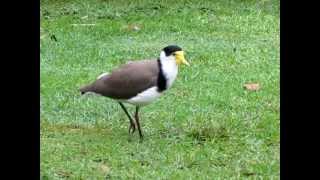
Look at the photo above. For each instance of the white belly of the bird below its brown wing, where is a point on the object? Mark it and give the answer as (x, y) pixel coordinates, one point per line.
(144, 98)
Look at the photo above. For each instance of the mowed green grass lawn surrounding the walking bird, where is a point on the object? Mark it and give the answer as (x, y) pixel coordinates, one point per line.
(207, 126)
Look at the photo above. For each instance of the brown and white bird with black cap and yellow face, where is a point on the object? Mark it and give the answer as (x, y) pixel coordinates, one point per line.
(139, 82)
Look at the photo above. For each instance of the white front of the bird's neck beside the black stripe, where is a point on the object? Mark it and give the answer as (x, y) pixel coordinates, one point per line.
(169, 68)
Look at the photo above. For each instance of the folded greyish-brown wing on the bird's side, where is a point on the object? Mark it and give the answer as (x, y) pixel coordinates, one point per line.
(128, 80)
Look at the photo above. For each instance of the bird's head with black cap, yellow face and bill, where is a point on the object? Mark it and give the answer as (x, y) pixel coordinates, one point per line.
(173, 53)
